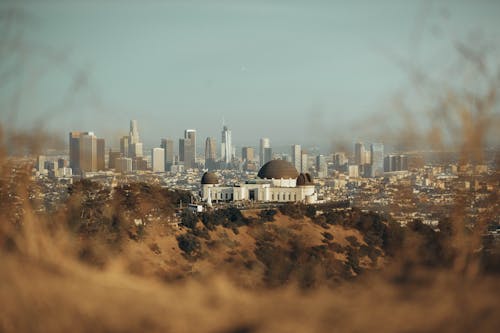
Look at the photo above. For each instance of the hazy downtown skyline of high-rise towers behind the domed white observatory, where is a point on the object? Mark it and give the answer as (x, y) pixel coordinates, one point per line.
(87, 155)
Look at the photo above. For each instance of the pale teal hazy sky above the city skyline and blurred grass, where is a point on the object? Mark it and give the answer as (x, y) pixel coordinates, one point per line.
(306, 72)
